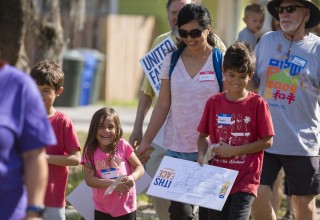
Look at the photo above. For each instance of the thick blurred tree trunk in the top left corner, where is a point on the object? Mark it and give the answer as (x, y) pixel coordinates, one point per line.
(31, 31)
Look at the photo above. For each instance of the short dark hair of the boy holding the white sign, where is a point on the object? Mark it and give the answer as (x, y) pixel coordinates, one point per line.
(240, 57)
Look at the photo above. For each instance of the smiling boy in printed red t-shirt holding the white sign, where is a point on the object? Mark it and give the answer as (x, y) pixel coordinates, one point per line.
(240, 127)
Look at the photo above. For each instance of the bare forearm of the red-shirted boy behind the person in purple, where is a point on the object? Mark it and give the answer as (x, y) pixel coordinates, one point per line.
(72, 159)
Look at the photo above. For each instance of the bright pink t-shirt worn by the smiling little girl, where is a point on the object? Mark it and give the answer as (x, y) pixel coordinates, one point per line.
(113, 204)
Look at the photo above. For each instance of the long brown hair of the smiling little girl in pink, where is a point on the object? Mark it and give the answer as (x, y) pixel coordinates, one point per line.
(91, 143)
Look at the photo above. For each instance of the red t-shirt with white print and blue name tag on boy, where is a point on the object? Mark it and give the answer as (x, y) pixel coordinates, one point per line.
(238, 123)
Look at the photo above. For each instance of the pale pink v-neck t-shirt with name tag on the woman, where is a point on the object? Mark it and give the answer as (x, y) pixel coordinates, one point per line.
(188, 98)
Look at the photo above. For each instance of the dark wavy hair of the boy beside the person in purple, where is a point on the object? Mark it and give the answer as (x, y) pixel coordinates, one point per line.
(48, 72)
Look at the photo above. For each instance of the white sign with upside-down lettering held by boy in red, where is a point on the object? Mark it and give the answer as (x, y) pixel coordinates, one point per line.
(188, 182)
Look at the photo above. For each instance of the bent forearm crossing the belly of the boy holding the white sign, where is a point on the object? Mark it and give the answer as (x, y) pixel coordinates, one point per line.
(226, 150)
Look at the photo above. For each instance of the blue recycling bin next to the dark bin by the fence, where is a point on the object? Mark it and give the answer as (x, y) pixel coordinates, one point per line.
(91, 75)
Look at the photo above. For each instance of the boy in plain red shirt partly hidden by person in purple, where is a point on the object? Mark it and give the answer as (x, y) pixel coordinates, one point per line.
(49, 78)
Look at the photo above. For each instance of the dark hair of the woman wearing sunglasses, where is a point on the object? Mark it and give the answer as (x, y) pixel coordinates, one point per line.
(199, 13)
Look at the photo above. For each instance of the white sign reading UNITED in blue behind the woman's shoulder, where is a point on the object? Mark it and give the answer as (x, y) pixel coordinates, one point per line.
(151, 62)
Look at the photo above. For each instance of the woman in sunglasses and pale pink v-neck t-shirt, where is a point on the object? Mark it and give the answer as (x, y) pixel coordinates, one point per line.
(184, 93)
